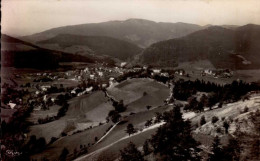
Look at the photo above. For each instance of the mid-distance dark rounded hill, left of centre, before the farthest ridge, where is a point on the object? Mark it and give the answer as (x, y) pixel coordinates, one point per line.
(97, 45)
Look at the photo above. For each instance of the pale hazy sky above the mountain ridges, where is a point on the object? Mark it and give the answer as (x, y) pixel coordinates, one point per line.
(24, 17)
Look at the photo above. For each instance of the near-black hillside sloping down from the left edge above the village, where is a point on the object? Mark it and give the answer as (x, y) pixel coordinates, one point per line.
(21, 54)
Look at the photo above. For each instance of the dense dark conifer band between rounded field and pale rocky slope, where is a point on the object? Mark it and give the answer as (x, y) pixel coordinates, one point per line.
(183, 90)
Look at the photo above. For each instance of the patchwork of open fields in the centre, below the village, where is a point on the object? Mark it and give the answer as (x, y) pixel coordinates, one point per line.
(90, 110)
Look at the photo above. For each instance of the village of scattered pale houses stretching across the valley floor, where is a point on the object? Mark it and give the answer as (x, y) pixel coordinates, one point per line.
(46, 86)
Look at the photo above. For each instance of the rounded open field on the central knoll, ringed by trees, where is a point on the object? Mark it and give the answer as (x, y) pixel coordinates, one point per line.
(139, 93)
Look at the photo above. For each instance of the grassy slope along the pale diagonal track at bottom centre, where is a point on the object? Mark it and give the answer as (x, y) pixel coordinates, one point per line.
(118, 133)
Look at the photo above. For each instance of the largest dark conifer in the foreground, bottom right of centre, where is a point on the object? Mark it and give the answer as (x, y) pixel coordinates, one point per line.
(173, 141)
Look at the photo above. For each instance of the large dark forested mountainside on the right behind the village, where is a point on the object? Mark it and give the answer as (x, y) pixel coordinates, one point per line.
(225, 48)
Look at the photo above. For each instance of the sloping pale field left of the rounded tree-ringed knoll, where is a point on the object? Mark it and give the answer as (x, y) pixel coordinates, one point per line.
(83, 112)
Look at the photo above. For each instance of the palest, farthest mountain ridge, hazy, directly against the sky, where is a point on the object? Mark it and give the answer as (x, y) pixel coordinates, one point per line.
(138, 31)
